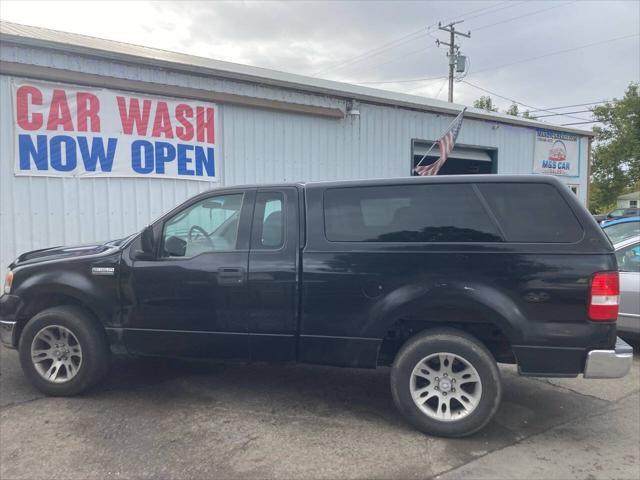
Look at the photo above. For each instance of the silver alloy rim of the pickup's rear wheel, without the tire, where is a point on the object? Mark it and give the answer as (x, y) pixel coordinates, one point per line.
(445, 386)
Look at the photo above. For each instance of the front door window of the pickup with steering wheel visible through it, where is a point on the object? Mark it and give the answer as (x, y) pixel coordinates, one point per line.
(210, 225)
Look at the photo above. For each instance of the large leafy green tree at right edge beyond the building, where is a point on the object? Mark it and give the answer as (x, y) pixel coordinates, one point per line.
(615, 167)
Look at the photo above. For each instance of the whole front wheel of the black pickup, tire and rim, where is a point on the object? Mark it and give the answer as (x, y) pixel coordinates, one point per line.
(63, 352)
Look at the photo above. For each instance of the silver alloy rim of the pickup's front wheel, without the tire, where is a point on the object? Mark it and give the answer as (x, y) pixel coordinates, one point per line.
(56, 354)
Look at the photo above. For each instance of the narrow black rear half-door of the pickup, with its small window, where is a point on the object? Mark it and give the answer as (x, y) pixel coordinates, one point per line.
(272, 294)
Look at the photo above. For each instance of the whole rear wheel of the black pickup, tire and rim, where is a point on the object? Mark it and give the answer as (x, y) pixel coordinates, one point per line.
(446, 383)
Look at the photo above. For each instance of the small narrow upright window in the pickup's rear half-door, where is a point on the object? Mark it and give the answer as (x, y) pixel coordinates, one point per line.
(268, 221)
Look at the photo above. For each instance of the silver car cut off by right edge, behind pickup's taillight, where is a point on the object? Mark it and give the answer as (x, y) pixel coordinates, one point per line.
(628, 256)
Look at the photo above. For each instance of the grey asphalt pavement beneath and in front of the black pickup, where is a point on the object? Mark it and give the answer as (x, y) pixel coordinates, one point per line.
(172, 419)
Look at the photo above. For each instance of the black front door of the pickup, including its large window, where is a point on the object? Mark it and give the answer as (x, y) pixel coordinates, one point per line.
(190, 299)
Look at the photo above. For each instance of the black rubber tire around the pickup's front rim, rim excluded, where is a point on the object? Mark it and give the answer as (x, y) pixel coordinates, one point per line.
(93, 342)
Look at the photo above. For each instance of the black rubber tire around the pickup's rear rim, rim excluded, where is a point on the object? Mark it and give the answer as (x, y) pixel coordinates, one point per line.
(463, 345)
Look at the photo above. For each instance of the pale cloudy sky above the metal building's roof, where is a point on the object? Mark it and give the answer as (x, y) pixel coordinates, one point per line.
(544, 54)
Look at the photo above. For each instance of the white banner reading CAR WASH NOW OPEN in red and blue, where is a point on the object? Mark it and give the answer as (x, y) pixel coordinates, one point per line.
(69, 131)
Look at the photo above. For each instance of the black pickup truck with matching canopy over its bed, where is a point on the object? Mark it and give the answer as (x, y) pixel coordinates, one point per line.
(440, 278)
